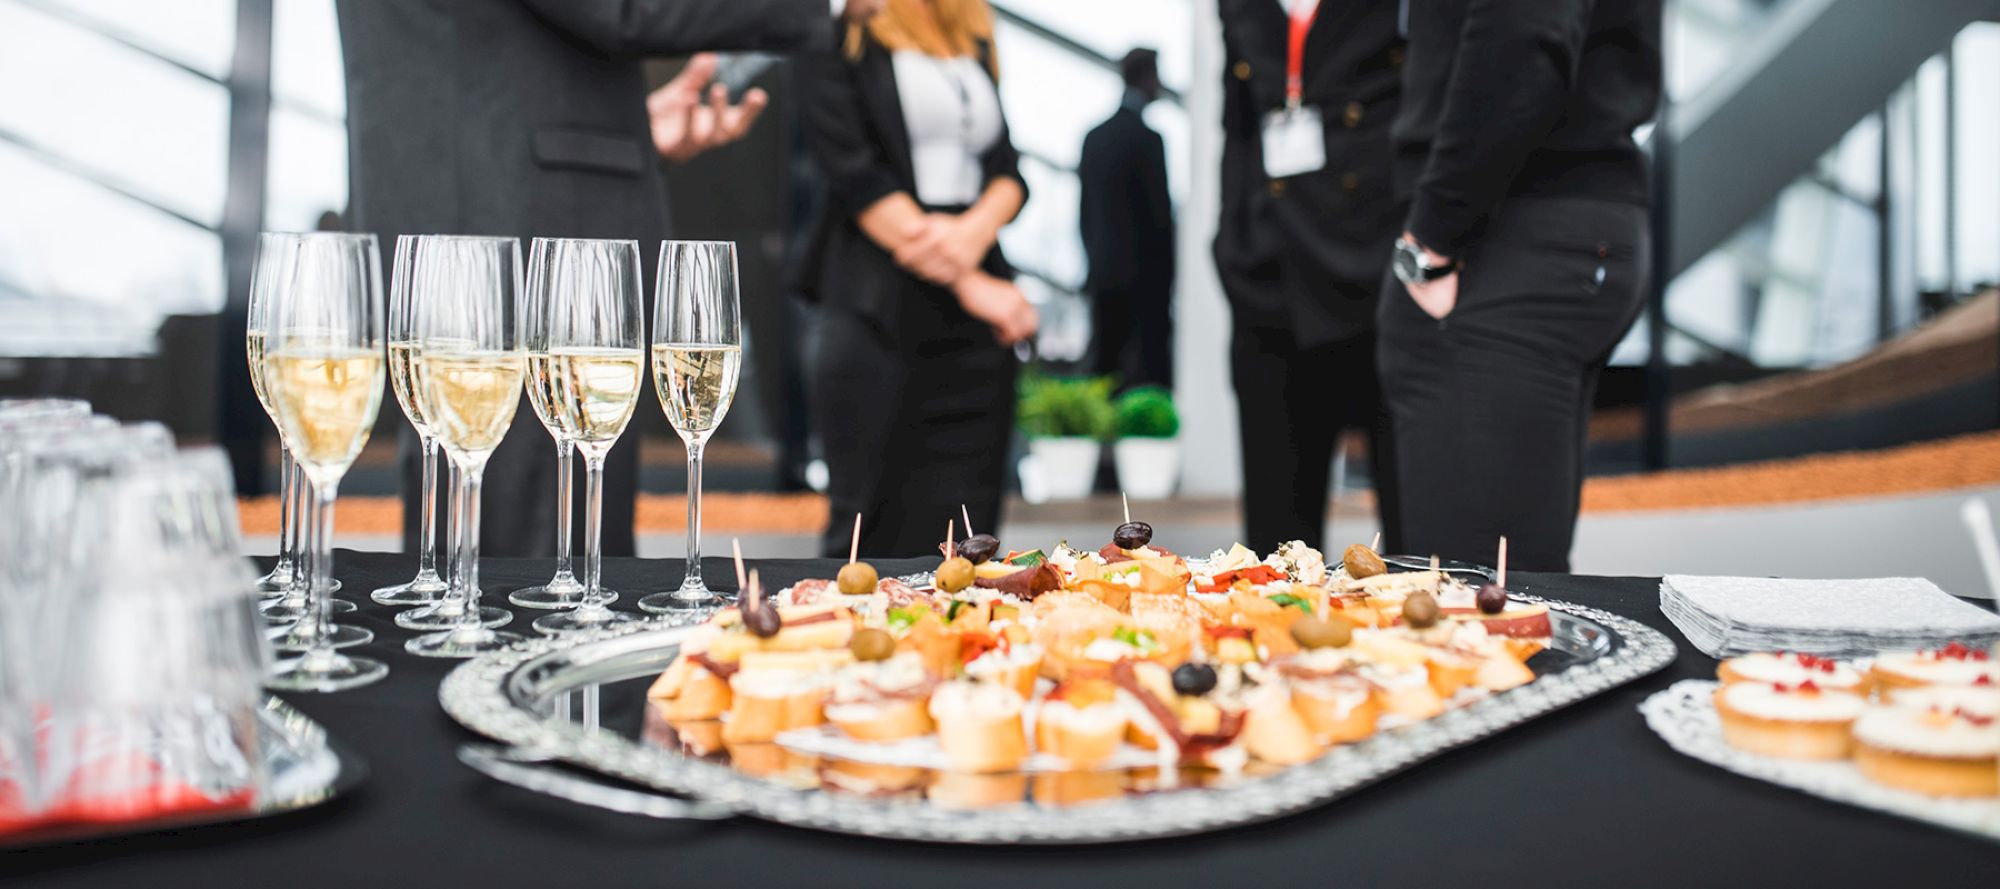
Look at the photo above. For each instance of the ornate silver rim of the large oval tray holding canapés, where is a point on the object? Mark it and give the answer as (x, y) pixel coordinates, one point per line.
(511, 698)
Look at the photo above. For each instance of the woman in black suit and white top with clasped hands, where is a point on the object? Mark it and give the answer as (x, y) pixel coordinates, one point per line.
(913, 379)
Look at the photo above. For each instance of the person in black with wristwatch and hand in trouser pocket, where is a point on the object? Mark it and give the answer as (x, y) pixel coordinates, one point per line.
(1523, 261)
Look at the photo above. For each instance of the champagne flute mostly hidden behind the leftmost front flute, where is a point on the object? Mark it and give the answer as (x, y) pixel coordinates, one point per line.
(285, 586)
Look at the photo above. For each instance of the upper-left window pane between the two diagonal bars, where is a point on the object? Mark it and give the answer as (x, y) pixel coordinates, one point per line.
(137, 121)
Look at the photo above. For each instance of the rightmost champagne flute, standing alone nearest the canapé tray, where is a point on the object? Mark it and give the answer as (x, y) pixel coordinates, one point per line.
(697, 353)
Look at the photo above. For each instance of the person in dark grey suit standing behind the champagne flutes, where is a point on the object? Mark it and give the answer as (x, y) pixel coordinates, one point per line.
(531, 119)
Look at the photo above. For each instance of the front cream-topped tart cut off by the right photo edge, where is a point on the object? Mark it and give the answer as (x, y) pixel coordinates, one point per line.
(1941, 742)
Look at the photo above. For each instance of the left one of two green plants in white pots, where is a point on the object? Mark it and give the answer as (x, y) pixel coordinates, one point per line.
(1065, 421)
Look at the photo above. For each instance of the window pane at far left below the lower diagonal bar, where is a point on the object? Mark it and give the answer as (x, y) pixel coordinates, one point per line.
(87, 271)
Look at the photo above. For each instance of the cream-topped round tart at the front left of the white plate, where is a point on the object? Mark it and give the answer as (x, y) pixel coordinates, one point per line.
(1791, 722)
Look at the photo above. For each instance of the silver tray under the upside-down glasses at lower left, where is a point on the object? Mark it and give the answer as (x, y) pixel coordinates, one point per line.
(303, 768)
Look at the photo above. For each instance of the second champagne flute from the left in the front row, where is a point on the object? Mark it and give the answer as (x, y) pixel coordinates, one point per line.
(469, 385)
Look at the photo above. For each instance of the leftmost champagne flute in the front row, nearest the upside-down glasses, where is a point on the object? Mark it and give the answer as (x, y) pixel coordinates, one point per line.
(323, 371)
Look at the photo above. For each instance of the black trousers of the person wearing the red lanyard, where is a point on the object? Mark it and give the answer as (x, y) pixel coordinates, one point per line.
(1293, 407)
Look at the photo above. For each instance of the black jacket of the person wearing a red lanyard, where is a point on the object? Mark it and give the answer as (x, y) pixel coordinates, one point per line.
(1307, 253)
